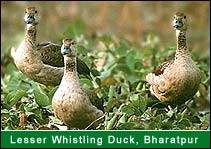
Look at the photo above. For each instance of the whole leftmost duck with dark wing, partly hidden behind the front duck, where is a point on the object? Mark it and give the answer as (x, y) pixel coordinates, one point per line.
(41, 62)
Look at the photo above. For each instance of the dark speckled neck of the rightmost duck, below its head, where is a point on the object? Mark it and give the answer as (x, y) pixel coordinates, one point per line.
(181, 43)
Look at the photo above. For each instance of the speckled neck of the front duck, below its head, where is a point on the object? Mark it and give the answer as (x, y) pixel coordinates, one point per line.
(70, 67)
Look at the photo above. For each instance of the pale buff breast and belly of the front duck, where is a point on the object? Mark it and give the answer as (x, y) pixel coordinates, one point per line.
(73, 106)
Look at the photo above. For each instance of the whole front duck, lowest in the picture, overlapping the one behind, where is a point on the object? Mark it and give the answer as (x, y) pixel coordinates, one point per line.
(75, 106)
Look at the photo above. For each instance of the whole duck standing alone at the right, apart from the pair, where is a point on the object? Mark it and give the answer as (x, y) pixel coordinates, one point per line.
(177, 80)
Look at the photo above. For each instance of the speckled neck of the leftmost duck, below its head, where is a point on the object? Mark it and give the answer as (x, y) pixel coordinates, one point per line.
(30, 36)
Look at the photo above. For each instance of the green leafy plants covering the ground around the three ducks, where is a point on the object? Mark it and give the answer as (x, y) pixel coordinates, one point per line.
(118, 70)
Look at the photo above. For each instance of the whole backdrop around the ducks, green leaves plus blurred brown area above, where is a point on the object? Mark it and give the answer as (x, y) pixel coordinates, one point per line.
(121, 42)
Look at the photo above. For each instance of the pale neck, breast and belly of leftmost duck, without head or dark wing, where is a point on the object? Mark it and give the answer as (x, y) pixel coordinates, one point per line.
(28, 61)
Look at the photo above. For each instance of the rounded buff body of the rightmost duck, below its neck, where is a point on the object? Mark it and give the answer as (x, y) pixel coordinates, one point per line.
(178, 83)
